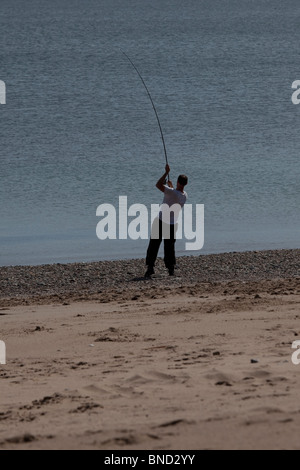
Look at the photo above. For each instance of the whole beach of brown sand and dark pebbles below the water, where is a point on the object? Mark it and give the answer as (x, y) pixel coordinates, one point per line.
(98, 358)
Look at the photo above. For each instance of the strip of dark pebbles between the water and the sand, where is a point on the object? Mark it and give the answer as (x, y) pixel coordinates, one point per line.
(105, 280)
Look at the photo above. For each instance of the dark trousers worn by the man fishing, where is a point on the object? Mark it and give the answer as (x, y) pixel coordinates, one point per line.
(169, 244)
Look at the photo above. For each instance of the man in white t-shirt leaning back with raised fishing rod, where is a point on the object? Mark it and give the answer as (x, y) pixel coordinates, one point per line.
(163, 228)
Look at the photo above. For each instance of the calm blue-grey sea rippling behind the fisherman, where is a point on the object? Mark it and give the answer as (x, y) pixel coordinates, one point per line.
(78, 129)
